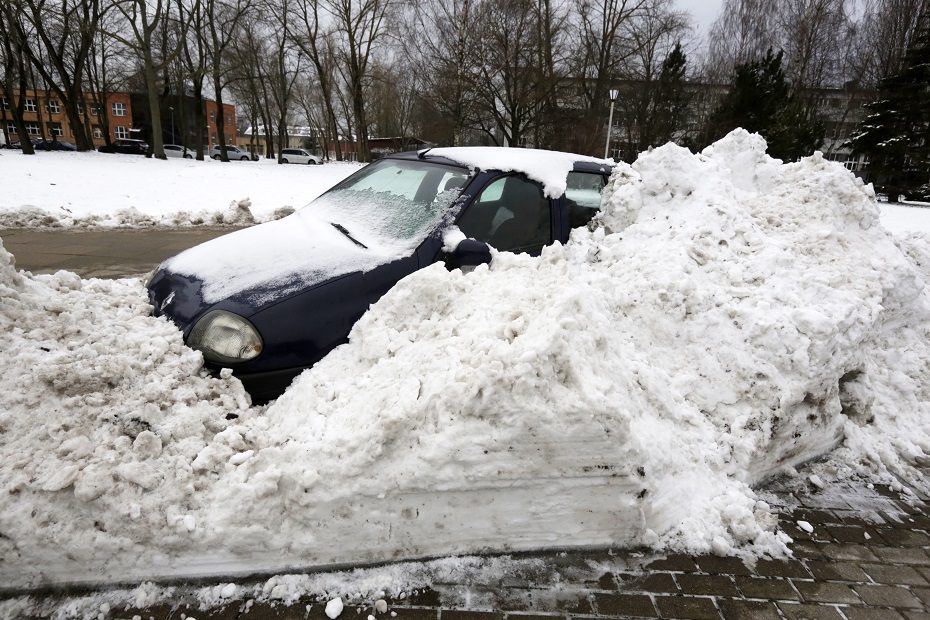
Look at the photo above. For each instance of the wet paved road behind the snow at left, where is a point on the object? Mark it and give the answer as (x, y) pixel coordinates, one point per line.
(100, 253)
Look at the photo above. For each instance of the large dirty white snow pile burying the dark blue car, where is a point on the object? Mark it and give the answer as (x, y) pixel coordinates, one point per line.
(728, 316)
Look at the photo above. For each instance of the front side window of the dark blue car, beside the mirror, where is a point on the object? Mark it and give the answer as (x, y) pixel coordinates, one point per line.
(511, 214)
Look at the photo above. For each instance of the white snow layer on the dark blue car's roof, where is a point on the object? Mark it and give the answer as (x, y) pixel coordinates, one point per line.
(550, 168)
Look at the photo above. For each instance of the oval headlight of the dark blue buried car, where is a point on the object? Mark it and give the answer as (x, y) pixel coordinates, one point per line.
(225, 337)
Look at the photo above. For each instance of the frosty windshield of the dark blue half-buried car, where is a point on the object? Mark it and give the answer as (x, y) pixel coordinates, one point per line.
(392, 200)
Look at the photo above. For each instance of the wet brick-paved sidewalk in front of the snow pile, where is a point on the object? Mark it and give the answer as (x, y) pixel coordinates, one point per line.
(868, 556)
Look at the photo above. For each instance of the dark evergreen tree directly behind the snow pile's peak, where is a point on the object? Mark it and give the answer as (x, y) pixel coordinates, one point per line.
(760, 100)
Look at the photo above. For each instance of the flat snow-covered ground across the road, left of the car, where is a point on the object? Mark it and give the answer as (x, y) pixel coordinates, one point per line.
(100, 189)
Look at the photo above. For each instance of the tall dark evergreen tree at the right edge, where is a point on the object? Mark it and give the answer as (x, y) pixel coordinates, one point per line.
(895, 136)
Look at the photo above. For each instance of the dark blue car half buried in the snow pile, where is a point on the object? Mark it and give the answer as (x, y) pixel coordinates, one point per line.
(271, 300)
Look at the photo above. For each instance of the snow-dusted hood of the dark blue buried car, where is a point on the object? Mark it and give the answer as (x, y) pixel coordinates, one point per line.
(263, 263)
